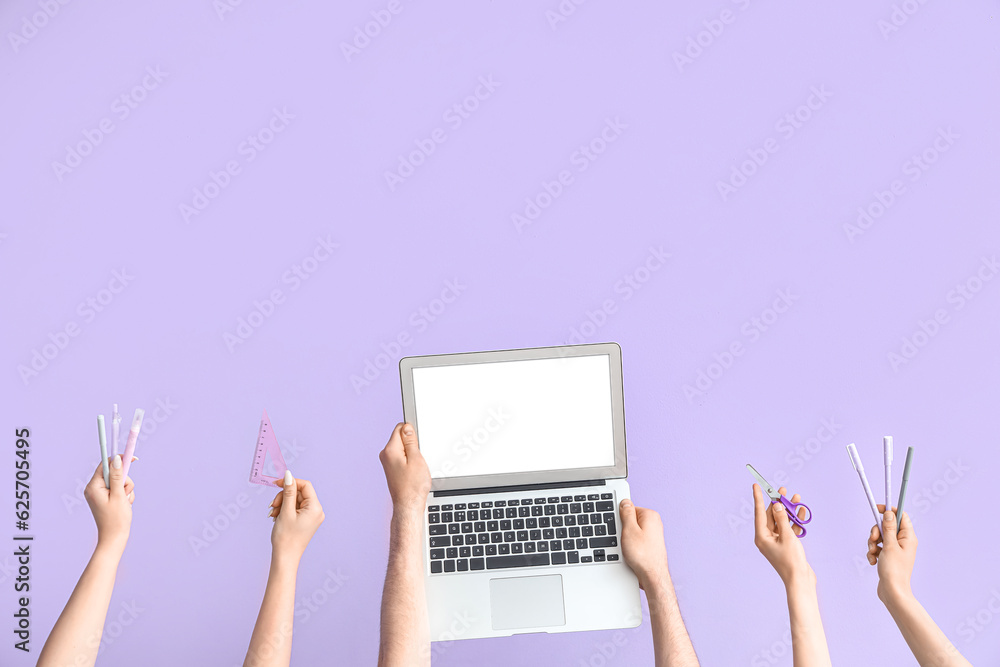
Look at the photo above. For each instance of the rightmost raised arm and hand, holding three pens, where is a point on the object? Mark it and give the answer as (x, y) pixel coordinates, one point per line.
(895, 560)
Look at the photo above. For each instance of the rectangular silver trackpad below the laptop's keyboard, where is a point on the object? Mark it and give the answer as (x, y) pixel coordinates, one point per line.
(527, 602)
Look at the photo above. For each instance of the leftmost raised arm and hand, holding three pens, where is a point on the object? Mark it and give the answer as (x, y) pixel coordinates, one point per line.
(77, 634)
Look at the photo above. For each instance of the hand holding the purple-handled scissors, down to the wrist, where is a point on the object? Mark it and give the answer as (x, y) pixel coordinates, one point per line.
(777, 538)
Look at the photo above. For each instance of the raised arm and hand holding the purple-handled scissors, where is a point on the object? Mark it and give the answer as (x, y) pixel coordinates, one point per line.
(777, 540)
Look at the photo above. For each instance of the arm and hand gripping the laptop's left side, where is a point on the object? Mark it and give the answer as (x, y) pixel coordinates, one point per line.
(405, 633)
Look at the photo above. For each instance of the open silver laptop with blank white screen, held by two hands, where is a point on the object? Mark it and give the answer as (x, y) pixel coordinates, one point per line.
(527, 454)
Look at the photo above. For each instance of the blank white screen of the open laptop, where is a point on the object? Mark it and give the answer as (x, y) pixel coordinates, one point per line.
(515, 416)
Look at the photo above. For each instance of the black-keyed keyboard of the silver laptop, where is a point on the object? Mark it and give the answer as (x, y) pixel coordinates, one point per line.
(522, 532)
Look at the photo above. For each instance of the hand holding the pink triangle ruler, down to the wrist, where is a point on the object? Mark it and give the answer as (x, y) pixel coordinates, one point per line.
(297, 514)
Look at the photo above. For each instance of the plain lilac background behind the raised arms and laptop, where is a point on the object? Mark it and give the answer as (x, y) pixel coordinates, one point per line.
(827, 358)
